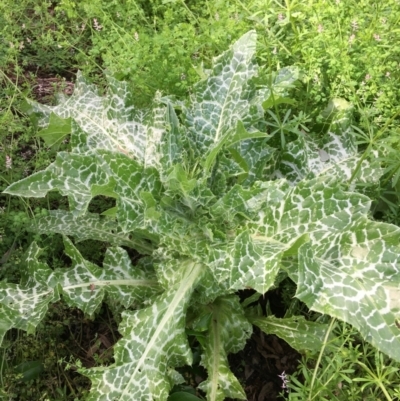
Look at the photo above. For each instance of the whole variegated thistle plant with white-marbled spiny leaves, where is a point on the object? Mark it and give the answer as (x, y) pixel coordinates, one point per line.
(213, 209)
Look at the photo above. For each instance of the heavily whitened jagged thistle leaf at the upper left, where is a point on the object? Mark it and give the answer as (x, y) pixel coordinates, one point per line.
(110, 122)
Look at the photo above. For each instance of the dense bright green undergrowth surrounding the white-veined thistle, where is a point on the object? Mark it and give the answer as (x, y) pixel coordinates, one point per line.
(341, 50)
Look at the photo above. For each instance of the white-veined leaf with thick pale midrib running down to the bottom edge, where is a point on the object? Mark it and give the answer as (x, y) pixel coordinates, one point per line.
(153, 342)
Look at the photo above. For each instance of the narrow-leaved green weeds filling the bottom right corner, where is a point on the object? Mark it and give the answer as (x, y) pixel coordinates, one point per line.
(351, 370)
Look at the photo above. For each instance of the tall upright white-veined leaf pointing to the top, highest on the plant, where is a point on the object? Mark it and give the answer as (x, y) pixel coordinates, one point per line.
(223, 100)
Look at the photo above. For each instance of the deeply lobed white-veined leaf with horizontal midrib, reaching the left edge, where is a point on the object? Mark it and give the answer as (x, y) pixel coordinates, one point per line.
(84, 286)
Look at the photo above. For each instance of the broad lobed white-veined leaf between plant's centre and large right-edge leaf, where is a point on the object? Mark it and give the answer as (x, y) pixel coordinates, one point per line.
(279, 220)
